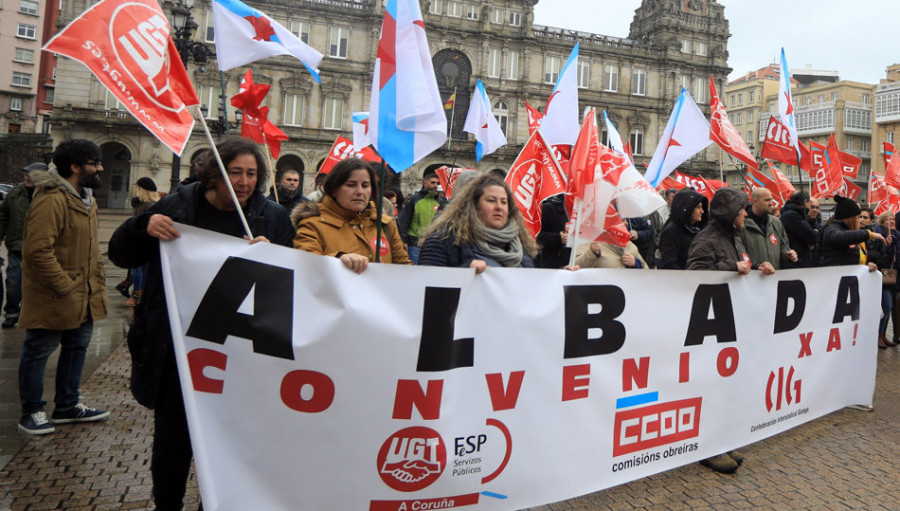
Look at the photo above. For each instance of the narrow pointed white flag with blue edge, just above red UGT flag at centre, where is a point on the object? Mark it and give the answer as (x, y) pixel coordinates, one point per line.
(560, 124)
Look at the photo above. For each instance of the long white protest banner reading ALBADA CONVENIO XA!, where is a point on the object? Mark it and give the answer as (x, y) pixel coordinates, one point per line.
(310, 387)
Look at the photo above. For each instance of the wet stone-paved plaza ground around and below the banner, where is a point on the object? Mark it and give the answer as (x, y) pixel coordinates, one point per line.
(845, 460)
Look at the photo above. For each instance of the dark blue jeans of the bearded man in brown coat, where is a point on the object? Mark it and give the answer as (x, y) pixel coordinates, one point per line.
(39, 344)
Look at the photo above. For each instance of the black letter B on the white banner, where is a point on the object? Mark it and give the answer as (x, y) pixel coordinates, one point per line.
(579, 322)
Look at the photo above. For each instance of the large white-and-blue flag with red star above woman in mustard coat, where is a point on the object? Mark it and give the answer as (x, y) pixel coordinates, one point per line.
(406, 116)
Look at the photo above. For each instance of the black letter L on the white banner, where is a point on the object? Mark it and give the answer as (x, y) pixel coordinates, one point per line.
(437, 349)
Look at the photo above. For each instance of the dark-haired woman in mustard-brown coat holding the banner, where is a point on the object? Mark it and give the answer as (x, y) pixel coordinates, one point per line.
(343, 224)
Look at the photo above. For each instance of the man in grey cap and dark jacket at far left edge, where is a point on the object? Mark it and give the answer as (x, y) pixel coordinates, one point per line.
(12, 225)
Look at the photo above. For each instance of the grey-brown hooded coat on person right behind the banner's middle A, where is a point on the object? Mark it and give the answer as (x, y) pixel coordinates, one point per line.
(718, 246)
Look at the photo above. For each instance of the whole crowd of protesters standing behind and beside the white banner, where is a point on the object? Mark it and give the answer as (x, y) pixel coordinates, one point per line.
(49, 224)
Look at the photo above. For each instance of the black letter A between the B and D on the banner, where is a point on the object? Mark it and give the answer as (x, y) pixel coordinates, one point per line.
(720, 325)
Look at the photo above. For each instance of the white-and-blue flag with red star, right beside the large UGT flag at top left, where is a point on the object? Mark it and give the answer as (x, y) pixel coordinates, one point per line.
(246, 35)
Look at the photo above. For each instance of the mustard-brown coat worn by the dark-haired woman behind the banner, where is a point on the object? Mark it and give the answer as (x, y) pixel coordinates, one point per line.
(325, 228)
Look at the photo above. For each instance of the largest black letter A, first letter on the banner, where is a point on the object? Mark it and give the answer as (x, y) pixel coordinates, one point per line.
(271, 325)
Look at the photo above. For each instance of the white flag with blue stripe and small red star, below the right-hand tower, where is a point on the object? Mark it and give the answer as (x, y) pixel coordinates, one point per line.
(687, 133)
